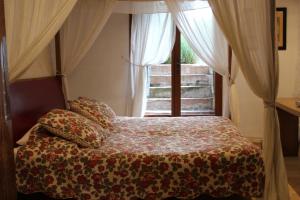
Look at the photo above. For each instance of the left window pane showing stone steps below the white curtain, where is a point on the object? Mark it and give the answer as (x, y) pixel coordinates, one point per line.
(159, 94)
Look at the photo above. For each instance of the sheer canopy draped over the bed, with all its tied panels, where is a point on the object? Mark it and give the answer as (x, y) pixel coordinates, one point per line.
(248, 26)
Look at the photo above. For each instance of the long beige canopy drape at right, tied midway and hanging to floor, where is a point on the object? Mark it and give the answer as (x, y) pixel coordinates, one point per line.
(249, 28)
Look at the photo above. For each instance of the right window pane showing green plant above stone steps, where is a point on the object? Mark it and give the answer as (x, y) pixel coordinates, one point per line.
(197, 83)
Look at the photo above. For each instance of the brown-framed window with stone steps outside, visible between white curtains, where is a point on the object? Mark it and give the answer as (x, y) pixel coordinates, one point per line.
(183, 85)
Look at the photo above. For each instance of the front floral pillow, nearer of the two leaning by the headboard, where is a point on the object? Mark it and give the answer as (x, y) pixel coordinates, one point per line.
(73, 127)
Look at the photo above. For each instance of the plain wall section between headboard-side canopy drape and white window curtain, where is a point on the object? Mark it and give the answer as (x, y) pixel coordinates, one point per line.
(103, 73)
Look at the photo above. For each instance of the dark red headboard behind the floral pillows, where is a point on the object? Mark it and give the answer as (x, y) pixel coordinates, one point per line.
(32, 98)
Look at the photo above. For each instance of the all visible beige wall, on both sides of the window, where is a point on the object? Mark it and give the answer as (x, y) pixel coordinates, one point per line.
(103, 74)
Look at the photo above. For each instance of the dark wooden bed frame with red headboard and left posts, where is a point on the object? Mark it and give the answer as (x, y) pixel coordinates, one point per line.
(22, 103)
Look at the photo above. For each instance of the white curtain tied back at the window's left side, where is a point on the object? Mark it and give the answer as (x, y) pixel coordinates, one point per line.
(152, 39)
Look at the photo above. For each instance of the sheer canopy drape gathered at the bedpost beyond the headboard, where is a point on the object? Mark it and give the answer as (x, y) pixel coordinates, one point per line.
(80, 31)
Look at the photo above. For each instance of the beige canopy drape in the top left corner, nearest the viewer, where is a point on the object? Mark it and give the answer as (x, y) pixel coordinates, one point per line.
(30, 27)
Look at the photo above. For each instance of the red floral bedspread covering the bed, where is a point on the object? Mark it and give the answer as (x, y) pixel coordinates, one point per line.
(148, 158)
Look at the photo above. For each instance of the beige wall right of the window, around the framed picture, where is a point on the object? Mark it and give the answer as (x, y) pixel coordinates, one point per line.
(251, 107)
